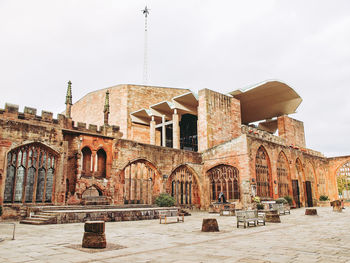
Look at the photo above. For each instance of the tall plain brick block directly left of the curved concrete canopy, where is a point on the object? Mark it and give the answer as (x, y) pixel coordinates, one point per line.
(219, 119)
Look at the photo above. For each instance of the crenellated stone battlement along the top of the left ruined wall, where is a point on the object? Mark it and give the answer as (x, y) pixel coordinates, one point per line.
(11, 112)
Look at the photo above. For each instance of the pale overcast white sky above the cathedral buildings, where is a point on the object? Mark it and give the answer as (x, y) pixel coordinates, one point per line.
(219, 45)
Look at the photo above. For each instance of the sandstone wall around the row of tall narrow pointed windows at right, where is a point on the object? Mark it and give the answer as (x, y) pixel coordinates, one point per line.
(313, 166)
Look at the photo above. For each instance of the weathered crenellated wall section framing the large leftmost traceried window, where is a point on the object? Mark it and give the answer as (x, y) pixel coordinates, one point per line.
(17, 129)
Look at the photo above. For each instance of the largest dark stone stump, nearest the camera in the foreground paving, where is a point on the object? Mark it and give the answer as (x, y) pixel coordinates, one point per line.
(94, 235)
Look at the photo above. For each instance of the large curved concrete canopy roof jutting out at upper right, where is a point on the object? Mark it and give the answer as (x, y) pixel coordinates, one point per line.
(267, 100)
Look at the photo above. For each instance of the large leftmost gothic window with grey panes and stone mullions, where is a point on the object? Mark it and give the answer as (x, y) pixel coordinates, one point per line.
(30, 174)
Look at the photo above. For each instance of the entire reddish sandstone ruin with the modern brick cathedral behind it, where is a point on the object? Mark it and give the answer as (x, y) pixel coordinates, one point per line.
(128, 143)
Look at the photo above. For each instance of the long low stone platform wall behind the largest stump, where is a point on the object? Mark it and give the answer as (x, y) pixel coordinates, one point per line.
(108, 215)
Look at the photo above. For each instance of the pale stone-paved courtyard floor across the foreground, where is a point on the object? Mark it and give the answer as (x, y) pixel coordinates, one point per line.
(299, 238)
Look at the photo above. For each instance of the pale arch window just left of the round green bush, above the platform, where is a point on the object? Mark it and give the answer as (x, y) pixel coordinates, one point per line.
(141, 183)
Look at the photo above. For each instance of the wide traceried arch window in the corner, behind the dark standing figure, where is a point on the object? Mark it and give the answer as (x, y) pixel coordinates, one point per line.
(224, 178)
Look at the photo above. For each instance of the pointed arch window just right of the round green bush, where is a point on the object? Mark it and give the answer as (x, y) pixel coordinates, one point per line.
(184, 186)
